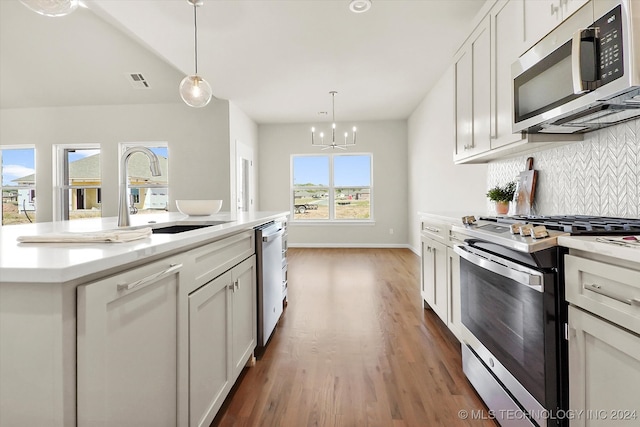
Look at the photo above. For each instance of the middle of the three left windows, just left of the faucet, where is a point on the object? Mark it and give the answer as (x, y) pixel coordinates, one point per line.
(79, 182)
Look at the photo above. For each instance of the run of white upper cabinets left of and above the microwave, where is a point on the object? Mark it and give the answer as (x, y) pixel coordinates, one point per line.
(483, 82)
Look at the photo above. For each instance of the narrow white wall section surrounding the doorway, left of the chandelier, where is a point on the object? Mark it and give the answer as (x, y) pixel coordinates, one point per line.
(244, 130)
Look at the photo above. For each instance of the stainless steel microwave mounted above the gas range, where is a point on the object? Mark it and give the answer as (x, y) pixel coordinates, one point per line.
(584, 75)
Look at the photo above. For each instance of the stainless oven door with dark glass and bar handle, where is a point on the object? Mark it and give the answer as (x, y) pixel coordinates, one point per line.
(505, 306)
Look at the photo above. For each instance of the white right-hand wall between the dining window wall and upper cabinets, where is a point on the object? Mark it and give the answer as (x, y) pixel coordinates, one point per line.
(436, 185)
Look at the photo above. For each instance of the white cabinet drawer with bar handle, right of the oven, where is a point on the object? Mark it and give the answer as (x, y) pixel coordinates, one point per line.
(609, 291)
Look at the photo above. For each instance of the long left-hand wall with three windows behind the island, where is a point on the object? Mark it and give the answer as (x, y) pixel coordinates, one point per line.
(198, 145)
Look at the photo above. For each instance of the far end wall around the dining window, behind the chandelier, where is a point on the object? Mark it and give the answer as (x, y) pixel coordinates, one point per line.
(386, 140)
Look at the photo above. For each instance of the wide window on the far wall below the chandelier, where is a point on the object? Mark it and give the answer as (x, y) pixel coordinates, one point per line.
(332, 187)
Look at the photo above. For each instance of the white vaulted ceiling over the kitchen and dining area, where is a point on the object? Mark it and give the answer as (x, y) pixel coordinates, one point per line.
(276, 60)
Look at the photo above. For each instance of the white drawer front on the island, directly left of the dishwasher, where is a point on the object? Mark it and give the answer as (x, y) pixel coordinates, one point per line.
(215, 258)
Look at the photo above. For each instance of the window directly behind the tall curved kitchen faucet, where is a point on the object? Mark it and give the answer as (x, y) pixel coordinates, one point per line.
(147, 193)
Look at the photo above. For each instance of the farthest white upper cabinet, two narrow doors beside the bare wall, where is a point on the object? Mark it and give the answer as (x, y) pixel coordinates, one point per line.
(472, 67)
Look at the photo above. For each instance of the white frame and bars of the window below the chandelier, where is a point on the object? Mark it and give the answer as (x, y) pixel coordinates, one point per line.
(331, 190)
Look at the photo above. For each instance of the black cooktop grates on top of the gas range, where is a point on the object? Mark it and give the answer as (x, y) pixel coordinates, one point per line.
(575, 224)
